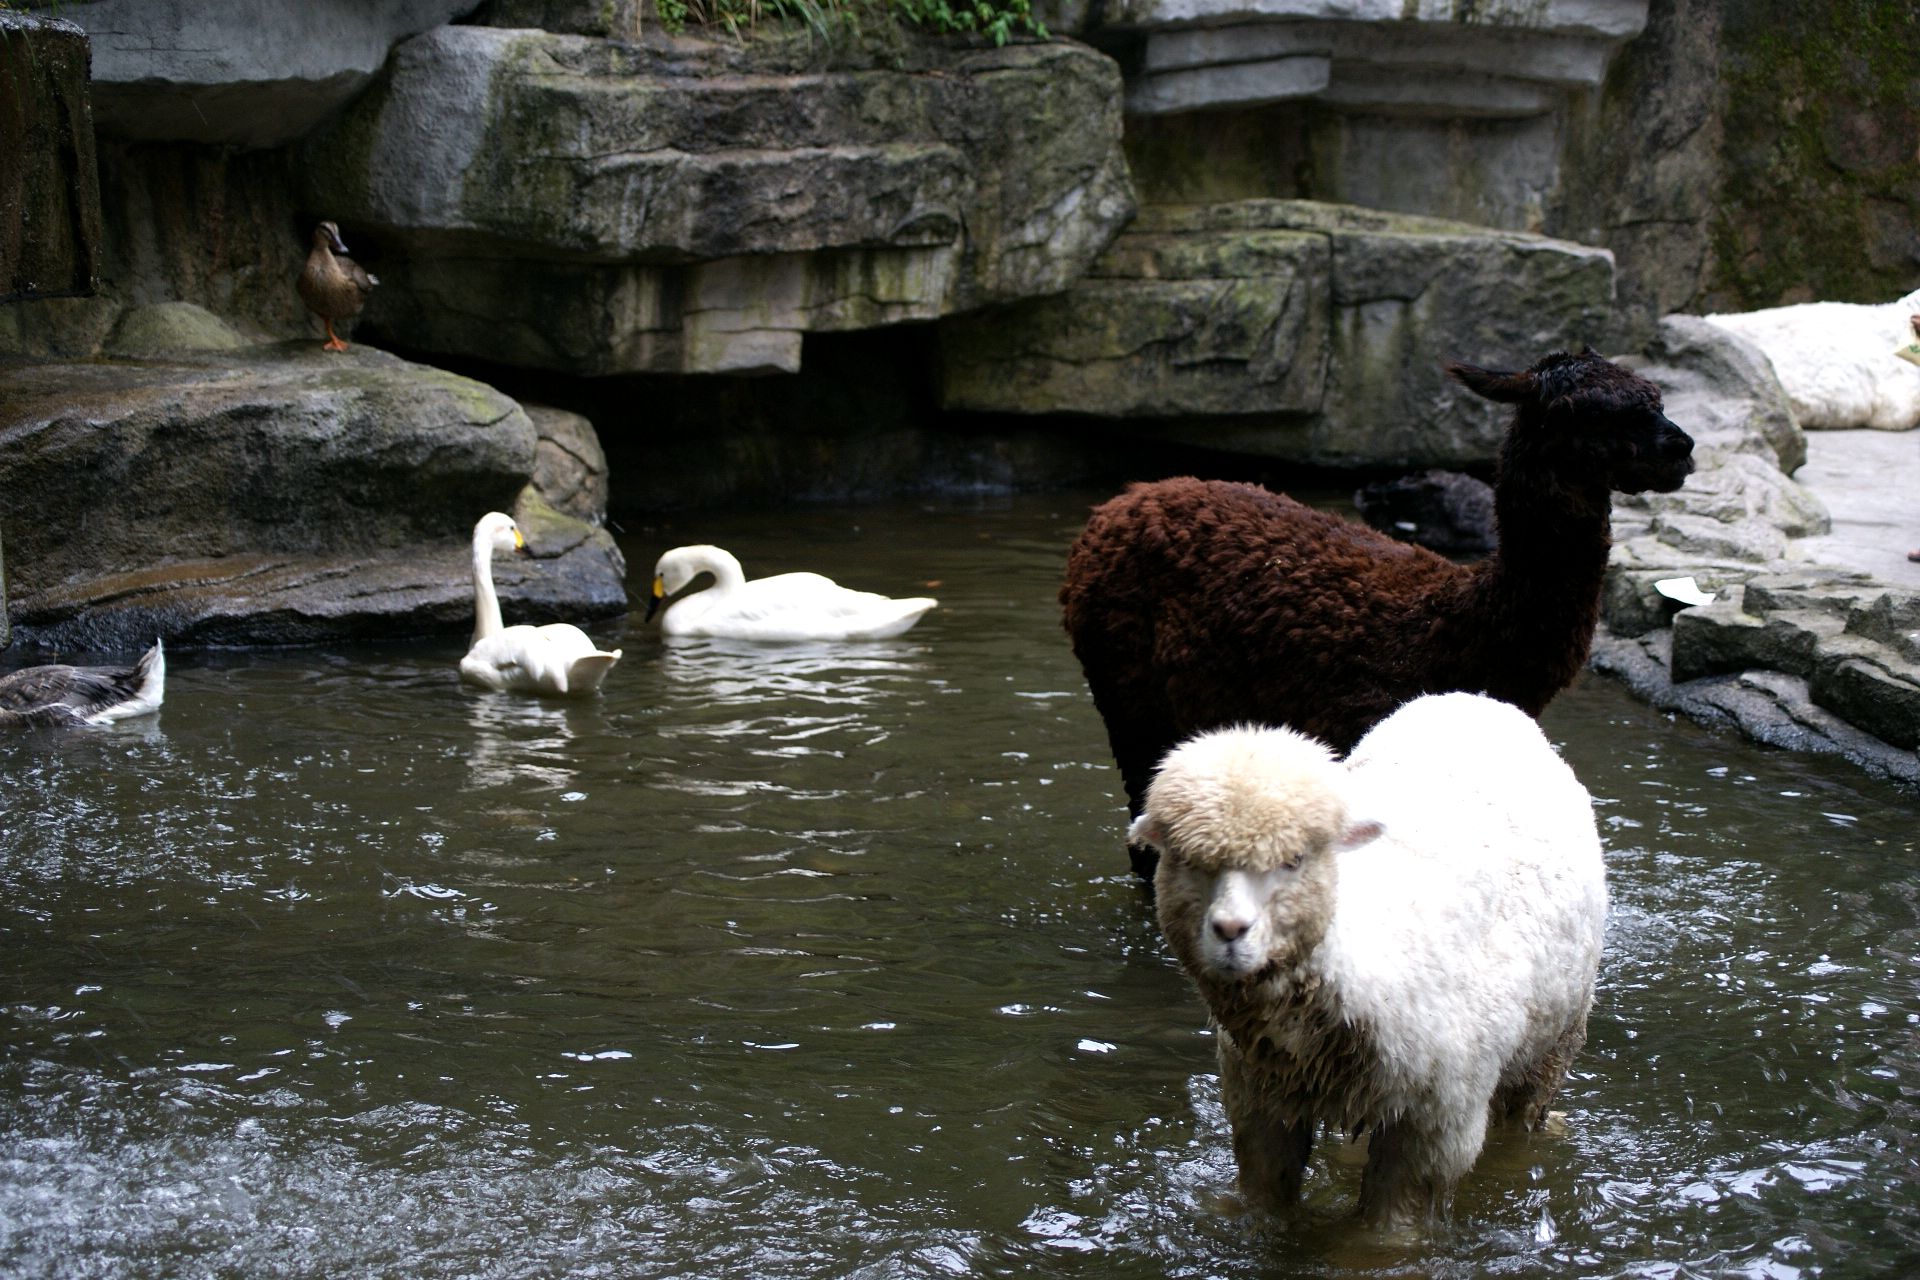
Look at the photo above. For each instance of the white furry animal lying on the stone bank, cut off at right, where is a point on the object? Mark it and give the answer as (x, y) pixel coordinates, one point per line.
(1836, 362)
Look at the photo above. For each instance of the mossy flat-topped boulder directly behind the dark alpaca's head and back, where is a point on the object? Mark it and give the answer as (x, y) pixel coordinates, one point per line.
(1287, 329)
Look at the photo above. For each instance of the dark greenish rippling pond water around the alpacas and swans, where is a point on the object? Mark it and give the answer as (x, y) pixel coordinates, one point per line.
(827, 962)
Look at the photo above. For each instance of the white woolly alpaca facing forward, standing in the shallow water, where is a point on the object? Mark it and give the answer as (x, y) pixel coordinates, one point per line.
(1403, 943)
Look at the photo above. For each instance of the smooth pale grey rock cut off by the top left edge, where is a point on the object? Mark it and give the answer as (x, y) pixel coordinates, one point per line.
(239, 72)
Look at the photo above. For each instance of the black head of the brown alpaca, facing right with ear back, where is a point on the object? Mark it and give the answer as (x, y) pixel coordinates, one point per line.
(1585, 419)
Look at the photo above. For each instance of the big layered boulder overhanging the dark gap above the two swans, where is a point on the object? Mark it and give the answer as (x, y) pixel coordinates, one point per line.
(694, 206)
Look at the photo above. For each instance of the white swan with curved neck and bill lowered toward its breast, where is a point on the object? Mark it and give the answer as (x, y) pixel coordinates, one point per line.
(786, 607)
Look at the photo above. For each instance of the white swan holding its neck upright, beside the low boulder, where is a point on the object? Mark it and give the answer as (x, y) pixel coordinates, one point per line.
(558, 659)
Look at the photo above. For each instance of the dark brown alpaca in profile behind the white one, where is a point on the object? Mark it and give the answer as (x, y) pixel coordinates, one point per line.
(1199, 604)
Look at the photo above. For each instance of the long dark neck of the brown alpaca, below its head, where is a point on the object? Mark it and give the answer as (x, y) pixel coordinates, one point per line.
(1535, 602)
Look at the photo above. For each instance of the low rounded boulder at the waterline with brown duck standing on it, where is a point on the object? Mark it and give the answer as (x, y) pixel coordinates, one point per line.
(272, 496)
